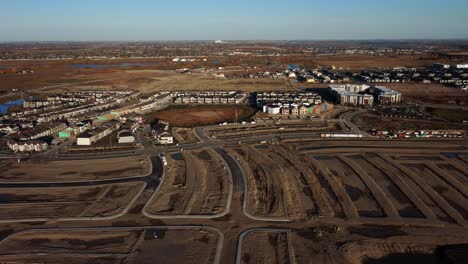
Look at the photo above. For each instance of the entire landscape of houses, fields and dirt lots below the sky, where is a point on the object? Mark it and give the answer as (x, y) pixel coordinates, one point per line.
(234, 152)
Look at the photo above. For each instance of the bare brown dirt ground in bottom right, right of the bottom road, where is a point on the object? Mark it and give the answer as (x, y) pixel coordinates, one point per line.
(355, 245)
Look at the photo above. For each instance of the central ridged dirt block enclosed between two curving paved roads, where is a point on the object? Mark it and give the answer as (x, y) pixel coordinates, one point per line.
(196, 182)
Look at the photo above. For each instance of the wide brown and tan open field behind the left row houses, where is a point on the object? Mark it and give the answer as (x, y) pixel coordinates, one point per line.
(55, 77)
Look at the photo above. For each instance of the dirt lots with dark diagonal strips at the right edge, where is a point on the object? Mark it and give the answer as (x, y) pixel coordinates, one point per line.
(384, 182)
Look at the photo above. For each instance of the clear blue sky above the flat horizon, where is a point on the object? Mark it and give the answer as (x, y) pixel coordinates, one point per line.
(82, 20)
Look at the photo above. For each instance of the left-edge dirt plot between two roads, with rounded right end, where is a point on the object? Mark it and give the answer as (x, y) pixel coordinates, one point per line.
(67, 202)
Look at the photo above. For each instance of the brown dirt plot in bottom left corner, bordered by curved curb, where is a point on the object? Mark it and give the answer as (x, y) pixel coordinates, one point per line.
(125, 245)
